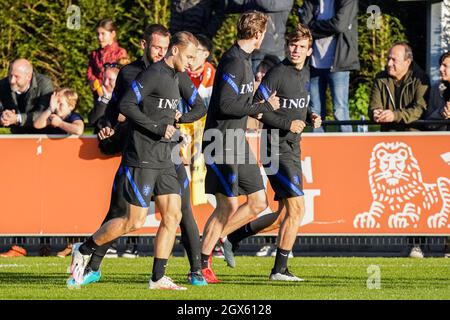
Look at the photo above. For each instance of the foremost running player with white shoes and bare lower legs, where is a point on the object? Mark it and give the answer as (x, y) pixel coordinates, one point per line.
(150, 107)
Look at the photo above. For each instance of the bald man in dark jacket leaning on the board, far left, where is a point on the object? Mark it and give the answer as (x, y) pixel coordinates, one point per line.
(23, 95)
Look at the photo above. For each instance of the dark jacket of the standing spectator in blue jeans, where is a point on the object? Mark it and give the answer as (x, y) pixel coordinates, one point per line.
(344, 26)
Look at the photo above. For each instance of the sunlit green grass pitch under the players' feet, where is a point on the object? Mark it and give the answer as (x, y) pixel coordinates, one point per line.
(326, 278)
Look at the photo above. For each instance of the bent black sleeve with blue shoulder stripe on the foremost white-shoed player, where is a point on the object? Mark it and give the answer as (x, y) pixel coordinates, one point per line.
(130, 103)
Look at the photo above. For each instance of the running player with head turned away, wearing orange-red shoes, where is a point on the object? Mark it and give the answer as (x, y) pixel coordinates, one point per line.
(231, 166)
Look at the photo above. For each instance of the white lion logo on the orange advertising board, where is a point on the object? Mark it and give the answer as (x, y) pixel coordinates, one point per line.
(400, 197)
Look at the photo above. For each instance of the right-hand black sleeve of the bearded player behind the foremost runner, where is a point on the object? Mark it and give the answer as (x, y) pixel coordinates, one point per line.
(189, 94)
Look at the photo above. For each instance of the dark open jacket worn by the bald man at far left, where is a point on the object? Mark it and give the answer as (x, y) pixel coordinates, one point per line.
(36, 99)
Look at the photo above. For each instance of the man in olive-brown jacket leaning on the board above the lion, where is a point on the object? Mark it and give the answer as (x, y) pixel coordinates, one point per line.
(399, 94)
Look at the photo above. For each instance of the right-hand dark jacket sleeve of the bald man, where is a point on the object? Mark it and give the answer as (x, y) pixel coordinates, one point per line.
(40, 104)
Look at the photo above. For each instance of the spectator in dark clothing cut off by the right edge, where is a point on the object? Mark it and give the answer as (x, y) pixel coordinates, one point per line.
(439, 103)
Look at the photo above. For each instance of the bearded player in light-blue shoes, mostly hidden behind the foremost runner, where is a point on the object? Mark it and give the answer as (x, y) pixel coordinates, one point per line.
(155, 43)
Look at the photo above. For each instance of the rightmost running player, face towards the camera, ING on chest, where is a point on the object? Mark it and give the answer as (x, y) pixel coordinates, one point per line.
(290, 79)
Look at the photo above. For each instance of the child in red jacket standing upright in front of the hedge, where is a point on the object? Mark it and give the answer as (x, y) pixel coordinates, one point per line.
(108, 52)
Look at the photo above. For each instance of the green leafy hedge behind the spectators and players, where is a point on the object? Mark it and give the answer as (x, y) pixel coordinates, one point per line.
(38, 31)
